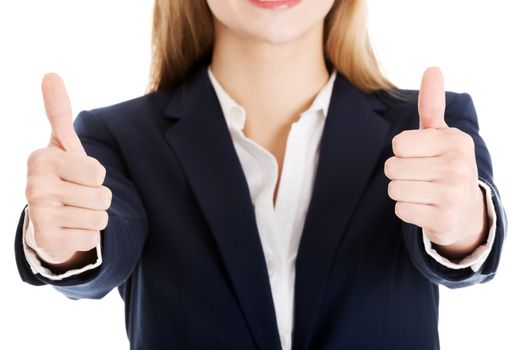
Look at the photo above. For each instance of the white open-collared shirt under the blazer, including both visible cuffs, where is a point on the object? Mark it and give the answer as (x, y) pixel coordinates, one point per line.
(280, 225)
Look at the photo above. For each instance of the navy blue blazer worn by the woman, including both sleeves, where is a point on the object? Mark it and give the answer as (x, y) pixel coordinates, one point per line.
(182, 244)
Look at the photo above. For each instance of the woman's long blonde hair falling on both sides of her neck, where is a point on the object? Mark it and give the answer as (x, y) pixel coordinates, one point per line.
(183, 36)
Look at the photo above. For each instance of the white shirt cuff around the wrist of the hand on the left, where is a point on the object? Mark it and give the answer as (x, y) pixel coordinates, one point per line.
(32, 253)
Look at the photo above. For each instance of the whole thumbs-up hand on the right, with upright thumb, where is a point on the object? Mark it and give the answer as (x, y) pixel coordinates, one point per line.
(434, 177)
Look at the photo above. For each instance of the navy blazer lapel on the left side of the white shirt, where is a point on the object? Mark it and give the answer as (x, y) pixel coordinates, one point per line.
(205, 150)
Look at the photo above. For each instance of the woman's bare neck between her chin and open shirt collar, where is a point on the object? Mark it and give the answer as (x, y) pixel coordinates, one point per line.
(273, 82)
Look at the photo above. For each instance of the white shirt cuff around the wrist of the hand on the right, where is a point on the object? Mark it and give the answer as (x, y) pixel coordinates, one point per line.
(479, 255)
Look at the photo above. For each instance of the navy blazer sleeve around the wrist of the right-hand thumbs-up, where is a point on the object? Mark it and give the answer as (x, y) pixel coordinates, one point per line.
(460, 113)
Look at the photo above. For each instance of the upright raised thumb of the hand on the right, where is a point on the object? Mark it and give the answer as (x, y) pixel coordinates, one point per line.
(432, 100)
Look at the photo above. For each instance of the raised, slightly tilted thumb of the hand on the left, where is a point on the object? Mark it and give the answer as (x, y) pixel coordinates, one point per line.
(58, 110)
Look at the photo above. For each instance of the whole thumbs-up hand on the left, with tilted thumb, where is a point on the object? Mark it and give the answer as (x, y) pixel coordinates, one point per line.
(66, 200)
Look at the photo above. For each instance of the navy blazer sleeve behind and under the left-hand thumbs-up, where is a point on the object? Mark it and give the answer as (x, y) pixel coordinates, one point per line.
(123, 238)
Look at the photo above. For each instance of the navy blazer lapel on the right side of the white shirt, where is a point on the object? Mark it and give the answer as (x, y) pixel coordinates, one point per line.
(354, 136)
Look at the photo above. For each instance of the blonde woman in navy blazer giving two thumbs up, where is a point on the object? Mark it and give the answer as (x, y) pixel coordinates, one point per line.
(273, 190)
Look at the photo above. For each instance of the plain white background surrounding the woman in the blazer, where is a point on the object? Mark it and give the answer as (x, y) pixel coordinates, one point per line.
(101, 49)
